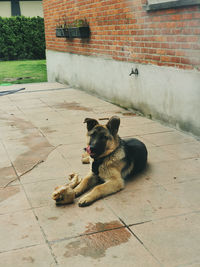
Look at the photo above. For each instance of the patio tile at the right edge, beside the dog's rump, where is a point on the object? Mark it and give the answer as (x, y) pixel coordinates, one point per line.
(175, 171)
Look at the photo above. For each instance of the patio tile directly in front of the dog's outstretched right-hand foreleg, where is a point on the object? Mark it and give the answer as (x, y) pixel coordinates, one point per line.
(137, 205)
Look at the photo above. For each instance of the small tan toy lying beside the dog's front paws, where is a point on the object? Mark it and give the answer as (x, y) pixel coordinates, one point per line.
(64, 194)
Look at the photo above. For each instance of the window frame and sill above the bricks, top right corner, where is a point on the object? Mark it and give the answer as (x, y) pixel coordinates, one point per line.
(165, 4)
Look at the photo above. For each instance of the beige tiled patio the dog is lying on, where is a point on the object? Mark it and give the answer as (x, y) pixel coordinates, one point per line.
(154, 221)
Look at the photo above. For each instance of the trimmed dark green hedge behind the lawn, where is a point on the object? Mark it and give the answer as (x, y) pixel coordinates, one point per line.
(22, 38)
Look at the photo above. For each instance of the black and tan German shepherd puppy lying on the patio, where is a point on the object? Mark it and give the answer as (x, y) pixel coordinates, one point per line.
(114, 160)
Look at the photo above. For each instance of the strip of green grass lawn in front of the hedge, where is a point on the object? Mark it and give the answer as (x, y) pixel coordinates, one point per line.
(22, 71)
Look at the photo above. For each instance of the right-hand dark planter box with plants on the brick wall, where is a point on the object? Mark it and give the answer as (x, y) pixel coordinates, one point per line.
(79, 29)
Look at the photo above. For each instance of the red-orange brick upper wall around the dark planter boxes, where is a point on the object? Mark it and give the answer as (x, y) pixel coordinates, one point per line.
(123, 30)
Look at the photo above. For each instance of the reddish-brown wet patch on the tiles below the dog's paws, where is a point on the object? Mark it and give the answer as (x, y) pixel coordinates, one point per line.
(95, 245)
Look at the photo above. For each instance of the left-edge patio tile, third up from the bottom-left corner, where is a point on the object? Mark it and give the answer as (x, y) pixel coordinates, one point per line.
(12, 199)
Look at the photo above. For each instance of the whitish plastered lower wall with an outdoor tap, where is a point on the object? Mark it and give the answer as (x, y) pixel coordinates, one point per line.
(164, 93)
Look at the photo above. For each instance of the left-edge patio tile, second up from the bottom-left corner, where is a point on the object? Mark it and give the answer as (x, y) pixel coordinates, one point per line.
(18, 230)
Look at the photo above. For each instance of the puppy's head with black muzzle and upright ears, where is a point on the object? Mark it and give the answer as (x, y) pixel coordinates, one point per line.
(102, 139)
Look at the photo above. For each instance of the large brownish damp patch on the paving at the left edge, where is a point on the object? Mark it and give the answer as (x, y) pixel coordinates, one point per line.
(38, 148)
